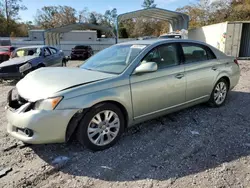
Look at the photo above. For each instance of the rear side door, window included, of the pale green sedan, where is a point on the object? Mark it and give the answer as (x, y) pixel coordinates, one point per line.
(200, 70)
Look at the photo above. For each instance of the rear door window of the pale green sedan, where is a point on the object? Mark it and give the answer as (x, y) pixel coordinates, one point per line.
(196, 53)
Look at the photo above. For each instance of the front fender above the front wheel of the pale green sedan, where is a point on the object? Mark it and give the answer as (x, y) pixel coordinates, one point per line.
(114, 92)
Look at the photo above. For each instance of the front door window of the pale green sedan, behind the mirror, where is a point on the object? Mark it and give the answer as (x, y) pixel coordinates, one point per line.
(164, 56)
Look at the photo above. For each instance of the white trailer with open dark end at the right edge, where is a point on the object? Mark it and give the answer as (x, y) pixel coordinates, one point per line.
(232, 38)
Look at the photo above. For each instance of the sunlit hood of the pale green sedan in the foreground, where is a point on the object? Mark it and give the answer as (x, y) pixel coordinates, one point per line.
(44, 82)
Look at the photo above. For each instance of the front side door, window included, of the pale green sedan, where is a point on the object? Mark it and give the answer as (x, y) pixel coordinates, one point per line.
(158, 91)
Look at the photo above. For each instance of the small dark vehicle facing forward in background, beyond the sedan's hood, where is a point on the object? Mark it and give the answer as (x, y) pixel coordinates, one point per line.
(81, 52)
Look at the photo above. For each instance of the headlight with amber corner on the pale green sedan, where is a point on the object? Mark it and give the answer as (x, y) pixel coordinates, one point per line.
(47, 104)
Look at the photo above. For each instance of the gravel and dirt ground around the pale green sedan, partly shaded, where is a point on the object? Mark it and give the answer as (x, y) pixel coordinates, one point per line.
(197, 147)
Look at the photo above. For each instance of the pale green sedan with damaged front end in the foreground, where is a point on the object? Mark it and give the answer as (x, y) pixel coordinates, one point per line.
(119, 87)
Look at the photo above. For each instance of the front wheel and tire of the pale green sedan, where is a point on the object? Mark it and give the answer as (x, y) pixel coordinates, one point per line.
(97, 133)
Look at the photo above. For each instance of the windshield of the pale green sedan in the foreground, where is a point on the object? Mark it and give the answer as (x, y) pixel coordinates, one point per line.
(113, 59)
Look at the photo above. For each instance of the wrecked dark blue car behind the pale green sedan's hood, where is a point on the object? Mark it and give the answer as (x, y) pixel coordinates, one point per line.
(27, 59)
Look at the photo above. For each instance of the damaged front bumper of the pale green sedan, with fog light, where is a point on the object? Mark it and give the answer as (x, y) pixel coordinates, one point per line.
(38, 126)
